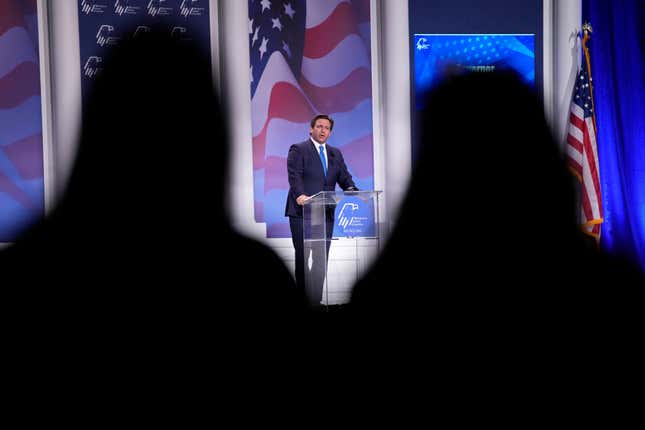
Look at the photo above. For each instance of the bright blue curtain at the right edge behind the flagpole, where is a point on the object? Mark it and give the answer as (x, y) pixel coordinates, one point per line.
(617, 51)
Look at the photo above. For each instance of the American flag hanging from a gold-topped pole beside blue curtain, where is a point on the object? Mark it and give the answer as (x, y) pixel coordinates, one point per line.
(581, 148)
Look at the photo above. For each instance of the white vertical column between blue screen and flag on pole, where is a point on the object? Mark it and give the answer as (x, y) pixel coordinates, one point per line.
(567, 20)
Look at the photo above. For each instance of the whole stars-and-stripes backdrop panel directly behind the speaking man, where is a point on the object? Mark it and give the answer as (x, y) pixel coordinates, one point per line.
(307, 57)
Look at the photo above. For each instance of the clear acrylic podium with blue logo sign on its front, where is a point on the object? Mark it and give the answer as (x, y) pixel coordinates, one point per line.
(348, 219)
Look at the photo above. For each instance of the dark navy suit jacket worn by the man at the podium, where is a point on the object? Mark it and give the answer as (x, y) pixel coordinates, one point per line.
(306, 175)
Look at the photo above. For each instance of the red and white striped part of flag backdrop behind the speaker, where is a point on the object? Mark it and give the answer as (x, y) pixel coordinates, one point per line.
(335, 79)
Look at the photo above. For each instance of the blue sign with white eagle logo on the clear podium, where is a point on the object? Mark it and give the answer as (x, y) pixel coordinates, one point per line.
(354, 217)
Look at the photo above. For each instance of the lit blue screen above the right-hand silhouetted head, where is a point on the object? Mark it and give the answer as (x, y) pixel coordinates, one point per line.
(436, 54)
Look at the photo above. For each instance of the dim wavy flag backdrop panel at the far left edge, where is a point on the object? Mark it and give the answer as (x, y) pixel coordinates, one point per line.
(21, 143)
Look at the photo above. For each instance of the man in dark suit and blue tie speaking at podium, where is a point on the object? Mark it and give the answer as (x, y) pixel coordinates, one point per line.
(313, 166)
